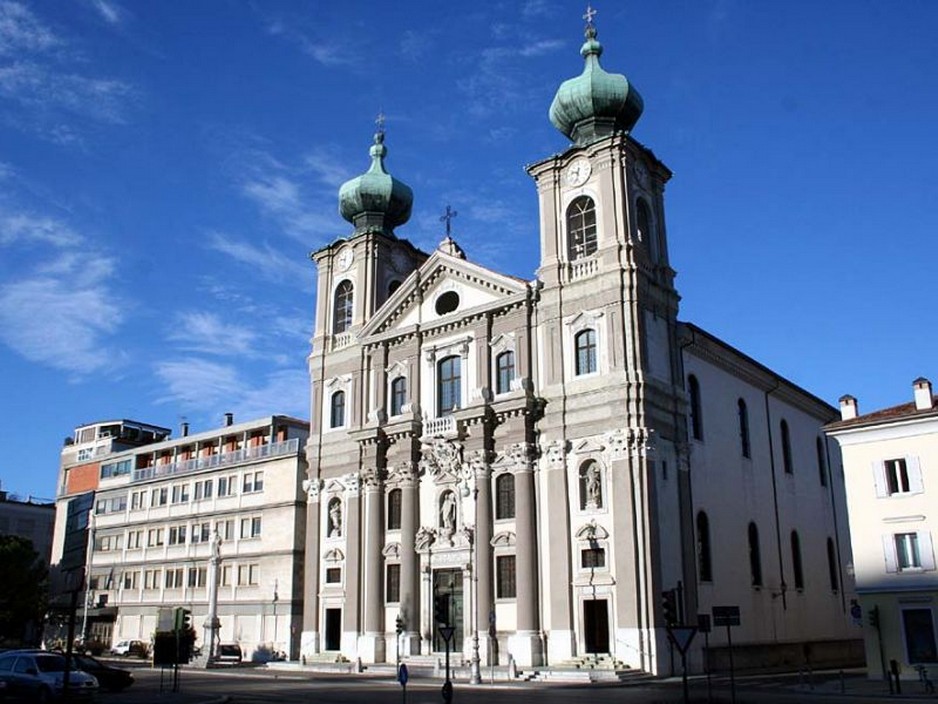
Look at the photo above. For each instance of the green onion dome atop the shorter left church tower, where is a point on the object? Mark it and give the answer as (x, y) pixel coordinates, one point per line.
(376, 200)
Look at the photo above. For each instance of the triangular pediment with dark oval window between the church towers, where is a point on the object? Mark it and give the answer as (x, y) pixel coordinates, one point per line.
(418, 300)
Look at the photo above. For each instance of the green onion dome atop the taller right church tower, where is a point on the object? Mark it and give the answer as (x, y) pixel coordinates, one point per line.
(595, 104)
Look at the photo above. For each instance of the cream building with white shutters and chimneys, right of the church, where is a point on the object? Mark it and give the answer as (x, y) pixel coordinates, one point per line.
(891, 463)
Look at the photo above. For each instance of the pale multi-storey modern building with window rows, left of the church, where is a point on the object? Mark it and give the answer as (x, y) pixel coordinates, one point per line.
(155, 511)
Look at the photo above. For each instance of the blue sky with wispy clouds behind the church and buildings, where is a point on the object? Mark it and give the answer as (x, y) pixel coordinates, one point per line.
(165, 167)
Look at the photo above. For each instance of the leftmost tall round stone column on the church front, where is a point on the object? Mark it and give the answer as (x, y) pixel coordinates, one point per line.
(372, 645)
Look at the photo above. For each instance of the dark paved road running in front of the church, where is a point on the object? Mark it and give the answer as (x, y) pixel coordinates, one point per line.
(253, 687)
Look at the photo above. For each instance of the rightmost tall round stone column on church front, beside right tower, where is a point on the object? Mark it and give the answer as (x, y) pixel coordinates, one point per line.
(526, 646)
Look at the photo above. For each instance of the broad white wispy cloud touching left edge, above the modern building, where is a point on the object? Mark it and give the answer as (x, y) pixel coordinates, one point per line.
(60, 317)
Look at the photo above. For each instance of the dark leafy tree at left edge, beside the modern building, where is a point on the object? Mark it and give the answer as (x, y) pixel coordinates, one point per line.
(23, 589)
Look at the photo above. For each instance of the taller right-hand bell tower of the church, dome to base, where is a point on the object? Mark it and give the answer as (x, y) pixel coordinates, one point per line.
(611, 371)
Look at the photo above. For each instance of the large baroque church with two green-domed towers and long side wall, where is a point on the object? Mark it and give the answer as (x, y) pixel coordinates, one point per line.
(556, 469)
